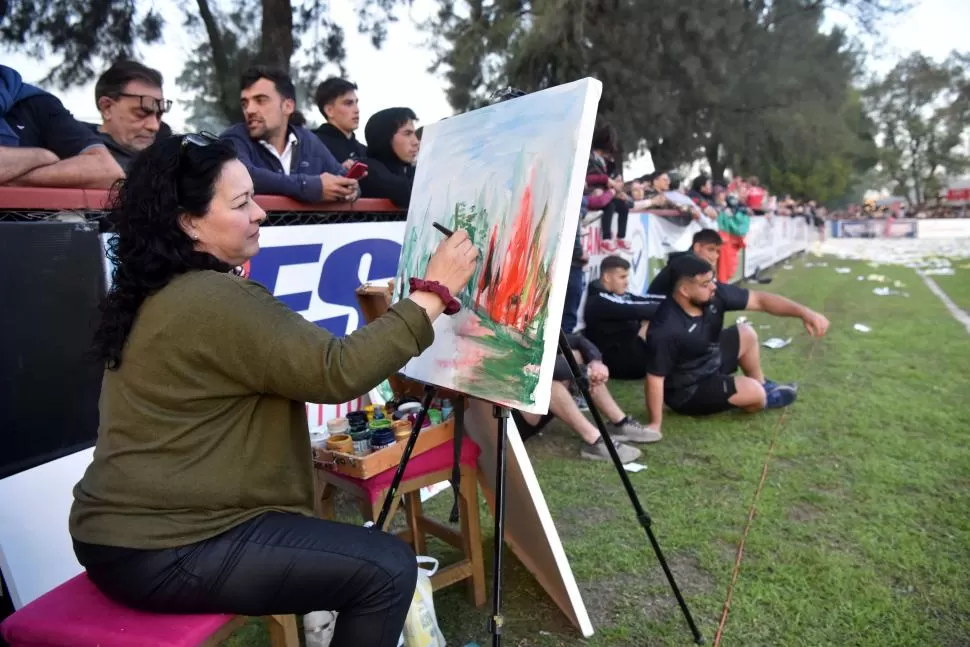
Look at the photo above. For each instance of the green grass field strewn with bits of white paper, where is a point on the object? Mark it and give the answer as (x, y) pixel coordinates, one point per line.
(862, 531)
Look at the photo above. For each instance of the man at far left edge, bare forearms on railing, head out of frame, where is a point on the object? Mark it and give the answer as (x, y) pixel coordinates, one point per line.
(42, 144)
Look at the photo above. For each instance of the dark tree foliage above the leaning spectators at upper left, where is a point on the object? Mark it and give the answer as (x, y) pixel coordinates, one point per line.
(88, 35)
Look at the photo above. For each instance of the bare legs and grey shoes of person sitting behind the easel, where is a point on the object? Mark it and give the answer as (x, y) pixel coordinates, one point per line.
(620, 426)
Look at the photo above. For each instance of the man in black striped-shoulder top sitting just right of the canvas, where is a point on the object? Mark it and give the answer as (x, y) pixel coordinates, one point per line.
(616, 320)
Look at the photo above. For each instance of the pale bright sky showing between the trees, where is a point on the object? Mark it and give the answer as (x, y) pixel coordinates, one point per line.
(397, 74)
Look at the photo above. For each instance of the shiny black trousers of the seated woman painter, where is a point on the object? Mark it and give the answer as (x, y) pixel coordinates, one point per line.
(274, 564)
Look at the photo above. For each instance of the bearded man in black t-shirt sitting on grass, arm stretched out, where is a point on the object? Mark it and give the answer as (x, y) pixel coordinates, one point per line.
(692, 358)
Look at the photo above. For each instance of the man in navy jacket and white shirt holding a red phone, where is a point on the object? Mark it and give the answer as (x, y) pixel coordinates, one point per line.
(282, 158)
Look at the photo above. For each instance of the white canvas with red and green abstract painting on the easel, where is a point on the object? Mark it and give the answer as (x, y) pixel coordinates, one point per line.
(511, 175)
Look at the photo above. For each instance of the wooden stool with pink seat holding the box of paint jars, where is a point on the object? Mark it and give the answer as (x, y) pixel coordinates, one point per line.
(433, 466)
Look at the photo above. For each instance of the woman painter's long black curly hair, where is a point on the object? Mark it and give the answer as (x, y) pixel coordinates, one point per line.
(171, 177)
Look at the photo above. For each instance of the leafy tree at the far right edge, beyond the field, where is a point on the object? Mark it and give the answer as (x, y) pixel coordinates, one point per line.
(922, 112)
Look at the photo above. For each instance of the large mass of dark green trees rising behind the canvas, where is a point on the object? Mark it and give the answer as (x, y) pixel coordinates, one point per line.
(682, 78)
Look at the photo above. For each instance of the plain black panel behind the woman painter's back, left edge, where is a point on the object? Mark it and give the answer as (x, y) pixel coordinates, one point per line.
(51, 285)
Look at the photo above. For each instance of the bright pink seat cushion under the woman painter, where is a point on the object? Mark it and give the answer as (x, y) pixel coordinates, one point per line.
(77, 614)
